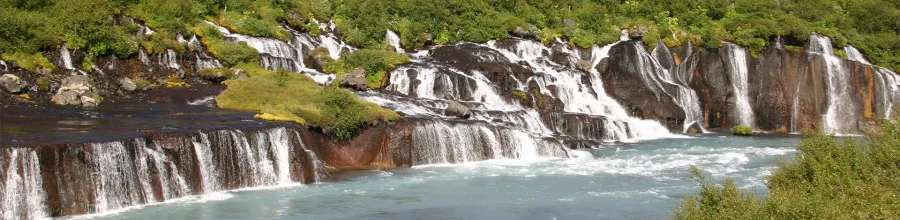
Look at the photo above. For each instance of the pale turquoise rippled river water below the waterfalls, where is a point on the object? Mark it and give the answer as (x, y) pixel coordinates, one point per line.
(632, 181)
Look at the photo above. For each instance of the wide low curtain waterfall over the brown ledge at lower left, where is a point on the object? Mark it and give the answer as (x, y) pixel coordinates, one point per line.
(129, 173)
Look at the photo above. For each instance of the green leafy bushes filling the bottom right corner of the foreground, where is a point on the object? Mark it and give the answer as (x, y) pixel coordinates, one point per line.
(829, 178)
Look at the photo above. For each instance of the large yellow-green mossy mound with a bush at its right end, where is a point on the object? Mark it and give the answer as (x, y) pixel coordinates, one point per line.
(283, 96)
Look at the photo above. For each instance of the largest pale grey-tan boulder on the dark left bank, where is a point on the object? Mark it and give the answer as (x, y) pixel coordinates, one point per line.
(77, 90)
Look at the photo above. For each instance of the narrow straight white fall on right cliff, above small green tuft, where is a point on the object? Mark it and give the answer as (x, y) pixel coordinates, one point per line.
(738, 71)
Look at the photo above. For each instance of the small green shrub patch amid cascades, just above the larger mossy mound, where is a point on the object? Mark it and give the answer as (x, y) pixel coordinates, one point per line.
(377, 64)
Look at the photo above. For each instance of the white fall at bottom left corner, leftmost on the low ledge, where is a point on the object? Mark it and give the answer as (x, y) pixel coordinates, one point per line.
(23, 196)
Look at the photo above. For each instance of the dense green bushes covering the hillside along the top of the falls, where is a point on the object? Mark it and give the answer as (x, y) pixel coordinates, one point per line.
(102, 27)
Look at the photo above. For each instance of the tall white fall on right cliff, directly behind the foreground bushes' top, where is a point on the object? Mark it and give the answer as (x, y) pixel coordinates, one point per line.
(842, 113)
